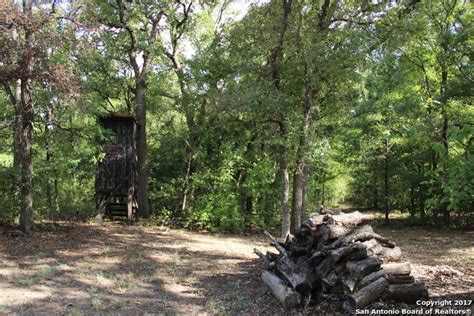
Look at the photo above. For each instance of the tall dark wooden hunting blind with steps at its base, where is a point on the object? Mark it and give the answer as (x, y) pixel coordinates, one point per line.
(115, 182)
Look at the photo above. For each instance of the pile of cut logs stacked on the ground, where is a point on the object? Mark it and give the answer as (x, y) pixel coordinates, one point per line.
(338, 255)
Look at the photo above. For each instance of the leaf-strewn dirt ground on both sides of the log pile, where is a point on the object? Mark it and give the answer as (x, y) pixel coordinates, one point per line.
(117, 269)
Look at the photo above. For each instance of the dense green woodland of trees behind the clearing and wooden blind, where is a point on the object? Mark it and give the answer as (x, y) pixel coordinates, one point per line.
(249, 115)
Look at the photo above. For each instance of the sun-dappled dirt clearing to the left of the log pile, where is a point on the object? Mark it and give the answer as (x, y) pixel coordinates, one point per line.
(84, 269)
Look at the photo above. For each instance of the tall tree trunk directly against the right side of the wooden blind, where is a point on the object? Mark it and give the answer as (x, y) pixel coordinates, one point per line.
(142, 150)
